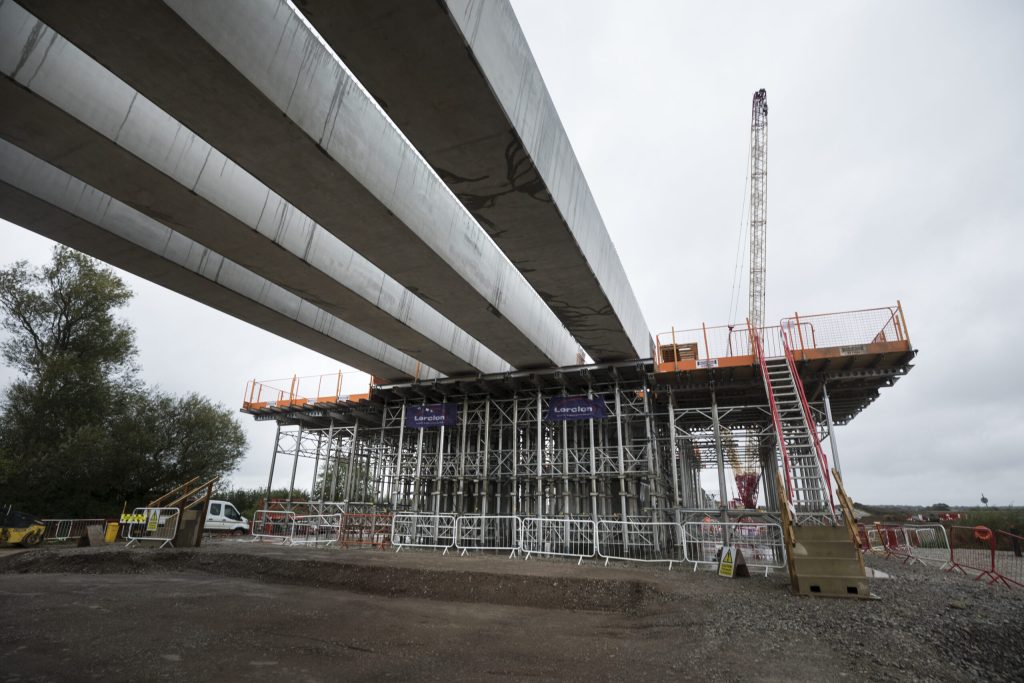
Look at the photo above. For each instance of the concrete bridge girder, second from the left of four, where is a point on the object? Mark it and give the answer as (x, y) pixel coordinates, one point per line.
(72, 111)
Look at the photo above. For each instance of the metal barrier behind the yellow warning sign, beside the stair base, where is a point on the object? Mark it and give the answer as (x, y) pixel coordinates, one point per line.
(762, 544)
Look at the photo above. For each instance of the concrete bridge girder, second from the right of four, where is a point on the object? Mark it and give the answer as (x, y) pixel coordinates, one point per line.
(229, 70)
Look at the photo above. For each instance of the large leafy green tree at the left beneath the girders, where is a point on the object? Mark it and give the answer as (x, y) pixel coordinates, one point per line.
(80, 433)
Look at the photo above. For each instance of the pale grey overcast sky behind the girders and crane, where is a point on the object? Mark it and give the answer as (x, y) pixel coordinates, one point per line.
(895, 139)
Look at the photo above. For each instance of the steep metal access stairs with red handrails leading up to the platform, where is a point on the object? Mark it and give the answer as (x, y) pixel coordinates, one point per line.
(807, 483)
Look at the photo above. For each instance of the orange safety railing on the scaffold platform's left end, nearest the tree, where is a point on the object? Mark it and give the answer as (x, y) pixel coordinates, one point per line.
(307, 391)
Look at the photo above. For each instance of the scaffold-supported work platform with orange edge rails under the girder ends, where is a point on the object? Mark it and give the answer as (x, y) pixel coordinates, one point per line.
(649, 429)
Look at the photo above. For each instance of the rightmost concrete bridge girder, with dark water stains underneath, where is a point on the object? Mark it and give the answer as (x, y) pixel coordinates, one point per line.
(460, 80)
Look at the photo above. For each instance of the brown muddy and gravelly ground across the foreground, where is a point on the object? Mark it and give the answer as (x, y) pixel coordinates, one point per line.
(247, 612)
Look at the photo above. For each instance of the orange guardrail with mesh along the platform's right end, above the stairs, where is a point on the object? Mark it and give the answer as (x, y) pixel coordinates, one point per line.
(724, 346)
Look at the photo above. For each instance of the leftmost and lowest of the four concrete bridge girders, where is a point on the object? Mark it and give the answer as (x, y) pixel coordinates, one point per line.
(49, 201)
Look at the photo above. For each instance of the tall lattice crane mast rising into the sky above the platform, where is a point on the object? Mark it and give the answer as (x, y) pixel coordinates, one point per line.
(759, 205)
